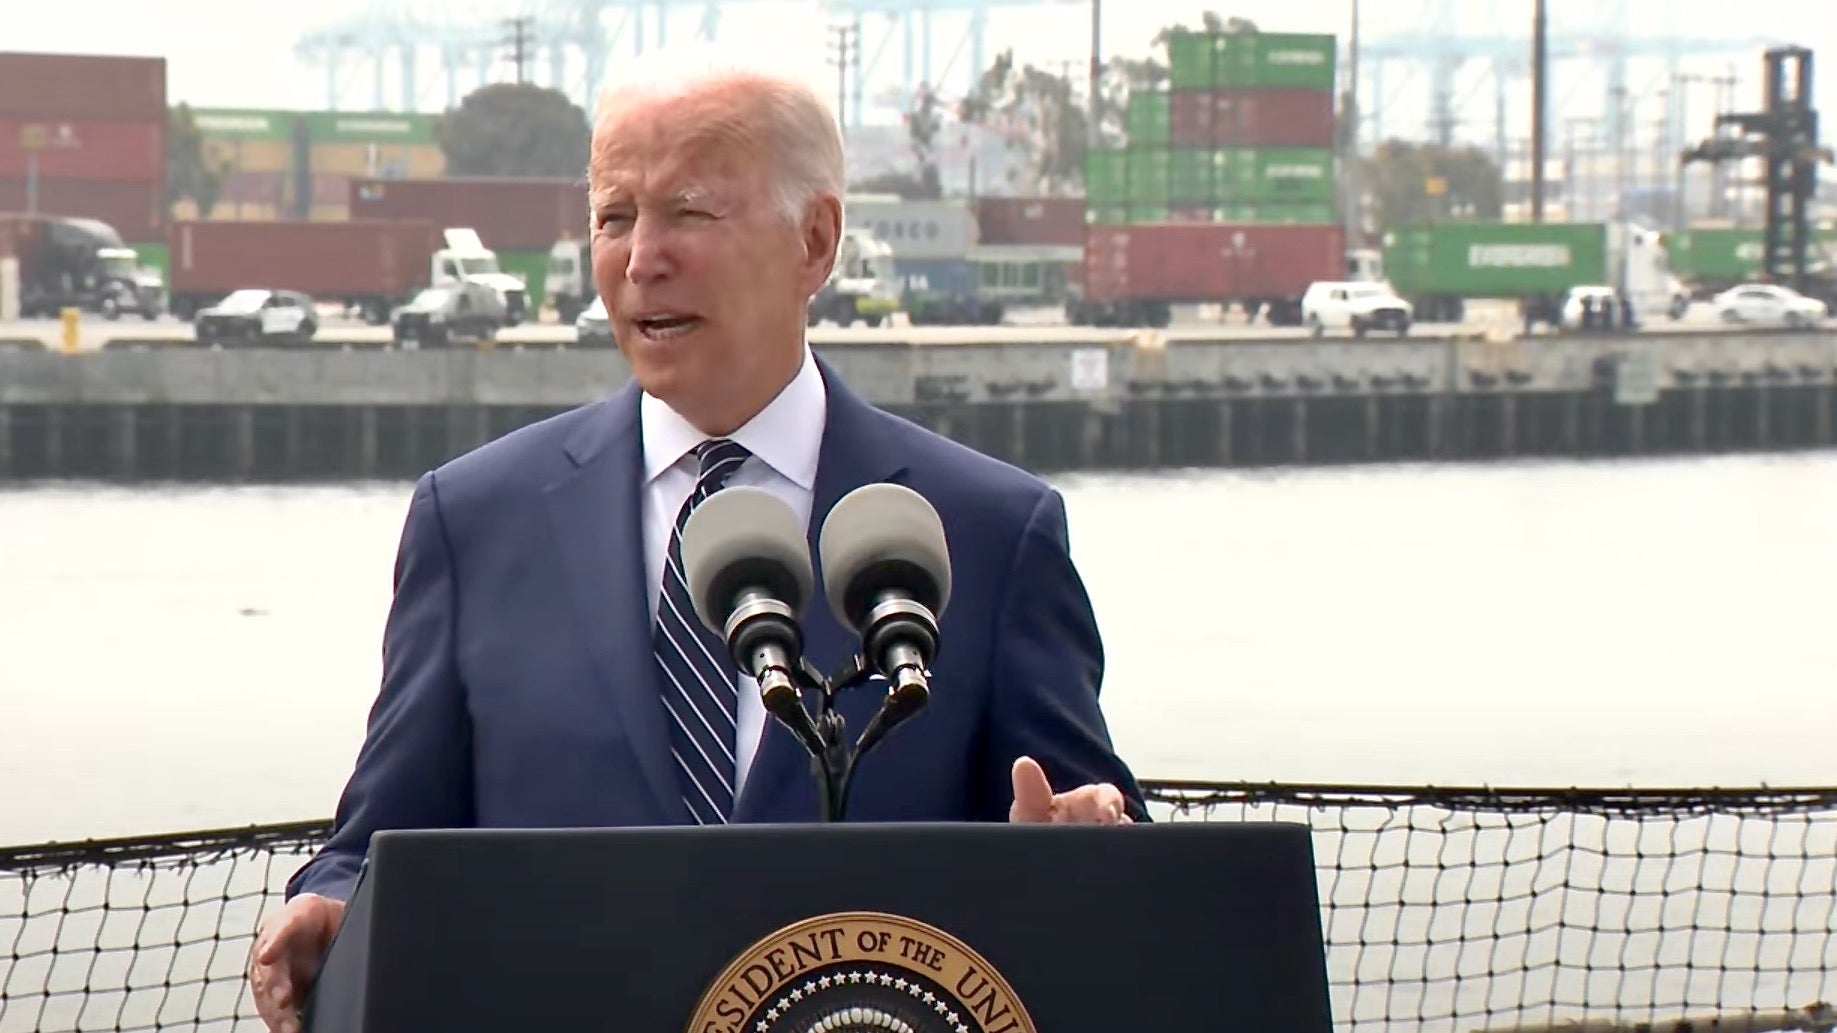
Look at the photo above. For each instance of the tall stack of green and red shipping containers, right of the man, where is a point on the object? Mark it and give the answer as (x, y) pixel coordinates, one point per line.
(1226, 187)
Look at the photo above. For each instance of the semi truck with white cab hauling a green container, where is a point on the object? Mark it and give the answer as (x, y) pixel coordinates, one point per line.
(1441, 267)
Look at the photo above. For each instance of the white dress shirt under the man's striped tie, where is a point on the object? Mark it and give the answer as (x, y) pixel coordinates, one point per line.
(783, 440)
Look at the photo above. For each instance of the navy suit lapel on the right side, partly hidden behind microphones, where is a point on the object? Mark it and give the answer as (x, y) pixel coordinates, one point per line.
(853, 455)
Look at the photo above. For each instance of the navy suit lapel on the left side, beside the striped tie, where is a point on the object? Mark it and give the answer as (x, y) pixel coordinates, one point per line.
(598, 517)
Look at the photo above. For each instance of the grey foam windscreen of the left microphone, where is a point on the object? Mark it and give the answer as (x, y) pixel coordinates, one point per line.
(745, 538)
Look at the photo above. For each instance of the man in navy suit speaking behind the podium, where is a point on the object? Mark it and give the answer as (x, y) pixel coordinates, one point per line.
(543, 666)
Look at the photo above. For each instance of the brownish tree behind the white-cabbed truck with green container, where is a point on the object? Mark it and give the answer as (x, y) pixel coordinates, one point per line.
(1423, 183)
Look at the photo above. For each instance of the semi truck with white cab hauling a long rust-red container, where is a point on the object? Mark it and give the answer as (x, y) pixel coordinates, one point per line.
(366, 266)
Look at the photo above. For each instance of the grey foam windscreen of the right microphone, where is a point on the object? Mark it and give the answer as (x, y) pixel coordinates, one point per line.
(879, 538)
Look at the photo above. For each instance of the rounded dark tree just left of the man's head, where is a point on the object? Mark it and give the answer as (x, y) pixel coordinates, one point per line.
(515, 130)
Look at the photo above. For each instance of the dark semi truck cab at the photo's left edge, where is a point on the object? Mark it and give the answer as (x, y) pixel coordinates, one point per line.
(76, 264)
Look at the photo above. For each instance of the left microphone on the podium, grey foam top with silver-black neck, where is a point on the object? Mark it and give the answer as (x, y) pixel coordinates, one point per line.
(749, 573)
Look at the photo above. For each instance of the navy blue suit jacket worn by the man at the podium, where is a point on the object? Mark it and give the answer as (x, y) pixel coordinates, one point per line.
(519, 687)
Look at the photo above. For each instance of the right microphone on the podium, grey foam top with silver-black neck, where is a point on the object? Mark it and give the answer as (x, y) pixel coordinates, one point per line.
(886, 573)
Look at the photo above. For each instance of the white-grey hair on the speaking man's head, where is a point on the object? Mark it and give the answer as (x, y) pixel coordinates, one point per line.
(798, 126)
